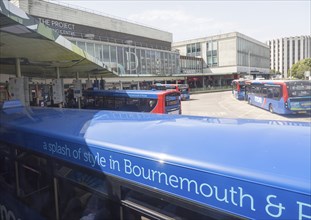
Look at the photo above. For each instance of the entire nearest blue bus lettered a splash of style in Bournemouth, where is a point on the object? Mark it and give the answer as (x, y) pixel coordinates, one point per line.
(90, 164)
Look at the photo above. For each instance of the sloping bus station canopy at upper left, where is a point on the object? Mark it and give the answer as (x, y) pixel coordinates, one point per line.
(40, 49)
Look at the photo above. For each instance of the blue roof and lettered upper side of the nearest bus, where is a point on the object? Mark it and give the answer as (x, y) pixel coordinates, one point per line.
(260, 162)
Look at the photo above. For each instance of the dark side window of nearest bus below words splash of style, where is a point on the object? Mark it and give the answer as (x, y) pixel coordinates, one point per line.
(84, 196)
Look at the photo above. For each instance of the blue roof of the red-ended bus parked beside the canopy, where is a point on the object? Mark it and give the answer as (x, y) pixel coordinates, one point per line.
(127, 93)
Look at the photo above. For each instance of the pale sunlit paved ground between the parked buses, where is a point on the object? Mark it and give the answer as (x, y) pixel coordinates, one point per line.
(223, 104)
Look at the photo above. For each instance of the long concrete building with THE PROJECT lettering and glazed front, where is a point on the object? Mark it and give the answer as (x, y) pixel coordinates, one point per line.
(135, 53)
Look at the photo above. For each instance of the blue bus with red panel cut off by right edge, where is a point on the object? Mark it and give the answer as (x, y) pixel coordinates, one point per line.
(281, 96)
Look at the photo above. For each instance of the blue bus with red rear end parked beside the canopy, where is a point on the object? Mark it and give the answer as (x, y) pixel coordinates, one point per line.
(165, 102)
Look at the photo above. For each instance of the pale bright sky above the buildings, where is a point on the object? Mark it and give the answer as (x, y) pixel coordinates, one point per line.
(262, 20)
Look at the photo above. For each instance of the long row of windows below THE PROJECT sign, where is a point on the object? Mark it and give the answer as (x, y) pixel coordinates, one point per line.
(127, 60)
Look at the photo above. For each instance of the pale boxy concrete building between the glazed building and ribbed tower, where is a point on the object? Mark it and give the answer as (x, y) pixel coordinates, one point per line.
(227, 56)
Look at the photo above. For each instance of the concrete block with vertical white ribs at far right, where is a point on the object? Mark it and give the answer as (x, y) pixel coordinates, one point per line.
(284, 52)
